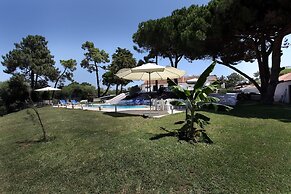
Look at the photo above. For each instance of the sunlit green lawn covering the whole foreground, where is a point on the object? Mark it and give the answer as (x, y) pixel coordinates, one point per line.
(94, 152)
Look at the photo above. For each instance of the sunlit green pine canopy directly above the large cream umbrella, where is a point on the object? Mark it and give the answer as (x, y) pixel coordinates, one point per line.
(166, 37)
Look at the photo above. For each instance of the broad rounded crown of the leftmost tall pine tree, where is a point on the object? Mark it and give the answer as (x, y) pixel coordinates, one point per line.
(31, 58)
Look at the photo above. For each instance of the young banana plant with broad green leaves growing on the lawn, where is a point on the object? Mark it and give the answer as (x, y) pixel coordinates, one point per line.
(194, 128)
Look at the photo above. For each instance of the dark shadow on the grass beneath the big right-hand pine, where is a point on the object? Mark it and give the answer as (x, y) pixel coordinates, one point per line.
(278, 112)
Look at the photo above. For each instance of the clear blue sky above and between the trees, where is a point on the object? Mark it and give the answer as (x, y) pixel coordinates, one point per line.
(67, 24)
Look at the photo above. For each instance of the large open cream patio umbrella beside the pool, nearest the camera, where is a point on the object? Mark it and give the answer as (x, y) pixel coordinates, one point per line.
(150, 71)
